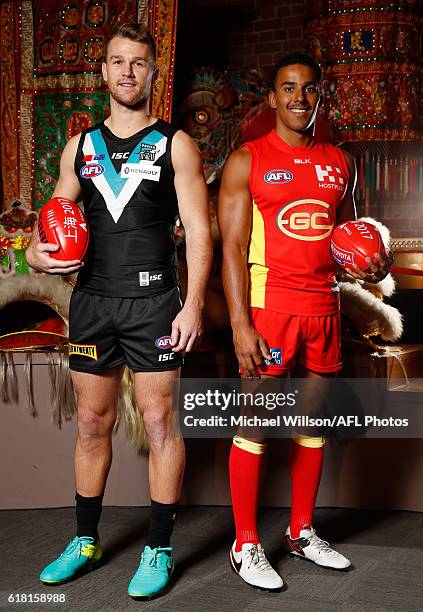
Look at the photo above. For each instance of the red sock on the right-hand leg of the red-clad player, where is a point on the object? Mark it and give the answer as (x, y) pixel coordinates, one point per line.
(305, 466)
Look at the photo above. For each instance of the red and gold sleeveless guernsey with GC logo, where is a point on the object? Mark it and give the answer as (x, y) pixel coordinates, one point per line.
(296, 192)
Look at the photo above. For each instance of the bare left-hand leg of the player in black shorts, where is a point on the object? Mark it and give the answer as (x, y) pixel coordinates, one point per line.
(97, 400)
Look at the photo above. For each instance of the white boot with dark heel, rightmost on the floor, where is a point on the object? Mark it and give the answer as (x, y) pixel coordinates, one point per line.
(311, 547)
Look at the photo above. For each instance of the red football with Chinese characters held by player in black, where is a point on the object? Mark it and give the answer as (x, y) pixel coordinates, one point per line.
(62, 222)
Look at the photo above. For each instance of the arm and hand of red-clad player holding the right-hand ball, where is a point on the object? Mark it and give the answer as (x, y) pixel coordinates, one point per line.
(347, 212)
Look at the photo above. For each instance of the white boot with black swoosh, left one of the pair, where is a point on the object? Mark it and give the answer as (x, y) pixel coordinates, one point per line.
(251, 564)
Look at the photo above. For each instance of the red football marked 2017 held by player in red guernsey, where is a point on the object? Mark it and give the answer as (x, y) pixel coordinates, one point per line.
(353, 241)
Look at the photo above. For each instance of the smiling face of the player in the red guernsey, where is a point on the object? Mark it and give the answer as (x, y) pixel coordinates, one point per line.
(296, 97)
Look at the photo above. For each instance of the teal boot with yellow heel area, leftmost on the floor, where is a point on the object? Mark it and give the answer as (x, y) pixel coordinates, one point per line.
(80, 555)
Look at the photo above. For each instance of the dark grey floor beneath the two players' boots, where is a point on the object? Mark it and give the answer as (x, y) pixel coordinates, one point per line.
(386, 549)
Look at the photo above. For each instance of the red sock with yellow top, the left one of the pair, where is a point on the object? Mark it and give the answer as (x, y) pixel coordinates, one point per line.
(244, 473)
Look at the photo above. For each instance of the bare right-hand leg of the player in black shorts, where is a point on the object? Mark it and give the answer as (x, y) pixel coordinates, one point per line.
(154, 395)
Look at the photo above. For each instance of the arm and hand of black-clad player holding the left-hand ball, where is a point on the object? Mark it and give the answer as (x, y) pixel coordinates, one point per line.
(38, 253)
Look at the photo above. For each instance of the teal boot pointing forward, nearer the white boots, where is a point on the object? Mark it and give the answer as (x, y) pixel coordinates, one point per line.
(153, 574)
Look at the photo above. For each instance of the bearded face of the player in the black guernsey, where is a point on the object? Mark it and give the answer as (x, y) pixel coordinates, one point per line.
(128, 71)
